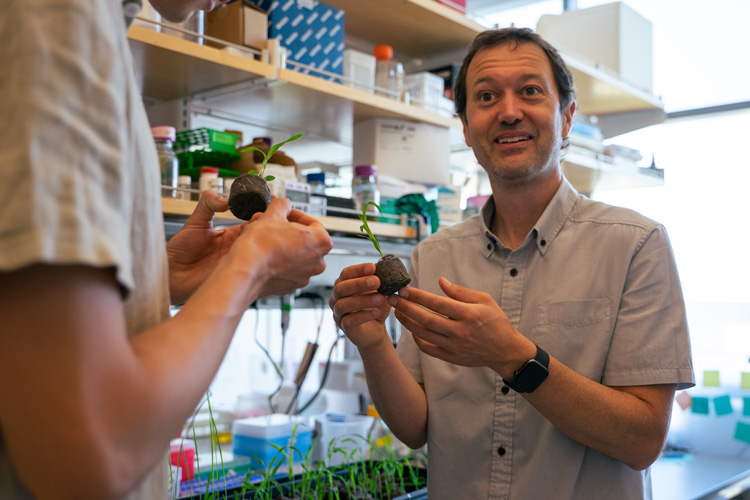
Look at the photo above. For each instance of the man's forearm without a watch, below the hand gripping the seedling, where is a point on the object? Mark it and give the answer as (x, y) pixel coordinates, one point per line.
(399, 399)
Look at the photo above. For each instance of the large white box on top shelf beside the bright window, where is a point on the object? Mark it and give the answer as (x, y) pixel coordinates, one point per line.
(613, 35)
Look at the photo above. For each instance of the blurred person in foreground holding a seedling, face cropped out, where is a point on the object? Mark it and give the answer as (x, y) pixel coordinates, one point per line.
(95, 377)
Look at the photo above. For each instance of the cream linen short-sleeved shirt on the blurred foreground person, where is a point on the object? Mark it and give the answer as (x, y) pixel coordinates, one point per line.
(80, 171)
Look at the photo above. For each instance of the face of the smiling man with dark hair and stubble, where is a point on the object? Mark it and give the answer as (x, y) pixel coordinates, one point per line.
(513, 118)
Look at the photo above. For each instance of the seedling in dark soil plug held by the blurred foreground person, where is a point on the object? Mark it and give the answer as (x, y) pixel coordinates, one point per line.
(250, 193)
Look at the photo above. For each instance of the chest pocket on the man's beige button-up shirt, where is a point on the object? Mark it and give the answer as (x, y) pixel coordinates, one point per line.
(577, 332)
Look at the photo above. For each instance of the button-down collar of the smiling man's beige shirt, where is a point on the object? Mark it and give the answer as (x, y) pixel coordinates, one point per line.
(546, 228)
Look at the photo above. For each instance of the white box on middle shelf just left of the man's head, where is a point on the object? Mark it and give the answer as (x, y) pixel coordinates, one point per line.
(411, 151)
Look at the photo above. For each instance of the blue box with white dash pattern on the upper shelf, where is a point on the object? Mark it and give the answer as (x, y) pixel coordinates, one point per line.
(312, 33)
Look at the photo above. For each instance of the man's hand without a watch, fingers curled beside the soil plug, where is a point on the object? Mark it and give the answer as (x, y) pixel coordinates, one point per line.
(357, 307)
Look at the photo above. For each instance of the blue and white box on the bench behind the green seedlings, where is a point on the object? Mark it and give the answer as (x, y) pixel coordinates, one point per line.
(258, 437)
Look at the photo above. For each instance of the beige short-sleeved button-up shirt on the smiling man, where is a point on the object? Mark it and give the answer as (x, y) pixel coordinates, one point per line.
(596, 286)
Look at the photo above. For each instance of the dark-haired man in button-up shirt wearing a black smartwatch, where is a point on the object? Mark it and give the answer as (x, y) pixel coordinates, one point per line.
(547, 335)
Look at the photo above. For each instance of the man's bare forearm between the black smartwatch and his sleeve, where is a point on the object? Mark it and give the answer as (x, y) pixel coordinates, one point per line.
(628, 424)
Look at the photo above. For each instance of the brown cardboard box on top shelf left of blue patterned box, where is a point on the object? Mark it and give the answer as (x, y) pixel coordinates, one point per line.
(238, 23)
